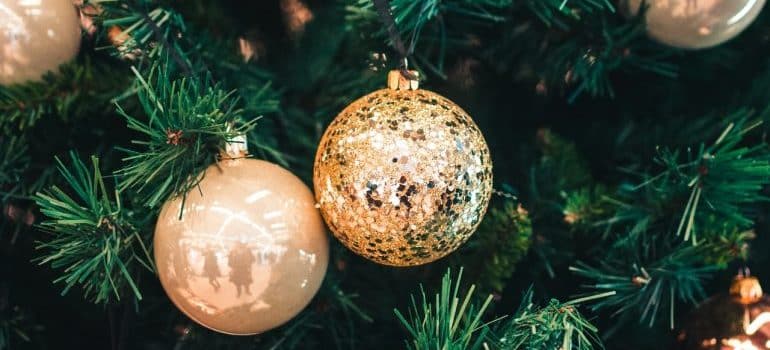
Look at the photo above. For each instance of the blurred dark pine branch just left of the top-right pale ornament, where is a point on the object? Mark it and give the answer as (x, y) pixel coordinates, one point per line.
(576, 56)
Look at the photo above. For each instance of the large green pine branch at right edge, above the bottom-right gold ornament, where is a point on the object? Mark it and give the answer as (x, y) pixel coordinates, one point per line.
(655, 259)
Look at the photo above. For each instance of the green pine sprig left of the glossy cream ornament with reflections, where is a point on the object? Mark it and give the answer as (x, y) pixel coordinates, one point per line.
(94, 241)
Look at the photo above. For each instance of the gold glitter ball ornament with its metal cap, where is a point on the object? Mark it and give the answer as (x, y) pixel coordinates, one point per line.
(403, 176)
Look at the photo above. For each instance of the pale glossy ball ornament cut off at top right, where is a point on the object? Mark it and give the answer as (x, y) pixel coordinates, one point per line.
(696, 24)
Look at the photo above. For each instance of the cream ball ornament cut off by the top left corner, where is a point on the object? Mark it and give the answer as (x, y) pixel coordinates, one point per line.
(36, 37)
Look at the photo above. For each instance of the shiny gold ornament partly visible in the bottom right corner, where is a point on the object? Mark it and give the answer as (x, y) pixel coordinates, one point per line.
(738, 321)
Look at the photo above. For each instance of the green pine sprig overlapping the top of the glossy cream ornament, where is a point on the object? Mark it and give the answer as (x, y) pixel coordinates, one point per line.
(188, 122)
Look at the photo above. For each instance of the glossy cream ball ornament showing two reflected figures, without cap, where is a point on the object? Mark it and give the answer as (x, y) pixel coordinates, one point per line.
(249, 252)
